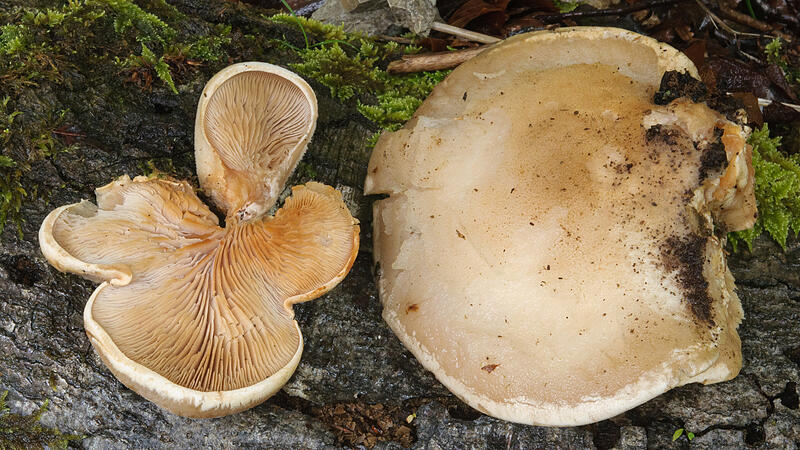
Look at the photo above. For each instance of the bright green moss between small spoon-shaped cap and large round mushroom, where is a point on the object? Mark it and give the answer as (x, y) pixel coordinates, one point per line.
(354, 66)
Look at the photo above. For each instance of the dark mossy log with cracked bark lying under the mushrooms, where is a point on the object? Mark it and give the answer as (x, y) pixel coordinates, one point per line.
(83, 103)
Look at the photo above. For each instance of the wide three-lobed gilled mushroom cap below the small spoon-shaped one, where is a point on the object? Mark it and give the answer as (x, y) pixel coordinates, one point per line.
(194, 317)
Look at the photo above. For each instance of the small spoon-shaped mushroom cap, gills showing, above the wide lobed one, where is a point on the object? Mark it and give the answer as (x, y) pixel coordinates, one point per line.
(251, 130)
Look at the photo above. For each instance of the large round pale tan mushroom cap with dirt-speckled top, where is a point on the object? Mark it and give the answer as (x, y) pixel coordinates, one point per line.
(551, 247)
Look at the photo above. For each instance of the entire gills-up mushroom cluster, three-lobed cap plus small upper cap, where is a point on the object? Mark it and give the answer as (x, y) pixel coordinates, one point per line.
(196, 317)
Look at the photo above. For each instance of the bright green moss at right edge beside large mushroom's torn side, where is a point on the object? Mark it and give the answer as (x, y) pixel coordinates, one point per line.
(777, 189)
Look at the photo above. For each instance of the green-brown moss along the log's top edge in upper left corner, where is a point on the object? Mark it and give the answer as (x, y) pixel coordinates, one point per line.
(39, 41)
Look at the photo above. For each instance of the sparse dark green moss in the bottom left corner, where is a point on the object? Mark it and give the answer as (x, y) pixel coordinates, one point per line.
(18, 432)
